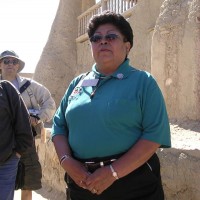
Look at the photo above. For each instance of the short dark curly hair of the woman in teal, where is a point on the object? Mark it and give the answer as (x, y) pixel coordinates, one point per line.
(109, 17)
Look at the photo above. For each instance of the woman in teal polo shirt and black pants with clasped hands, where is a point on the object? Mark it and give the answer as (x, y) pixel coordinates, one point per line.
(111, 121)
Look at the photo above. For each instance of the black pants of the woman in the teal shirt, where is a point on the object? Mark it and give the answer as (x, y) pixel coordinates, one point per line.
(143, 183)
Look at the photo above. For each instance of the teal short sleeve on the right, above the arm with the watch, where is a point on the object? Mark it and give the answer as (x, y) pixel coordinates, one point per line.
(155, 118)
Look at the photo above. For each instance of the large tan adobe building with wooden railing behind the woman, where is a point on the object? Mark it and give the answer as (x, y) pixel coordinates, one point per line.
(166, 43)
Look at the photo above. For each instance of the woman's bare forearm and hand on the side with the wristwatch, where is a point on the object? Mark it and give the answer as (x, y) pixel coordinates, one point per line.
(102, 178)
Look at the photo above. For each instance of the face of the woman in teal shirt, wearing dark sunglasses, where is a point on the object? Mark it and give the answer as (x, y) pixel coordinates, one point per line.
(108, 46)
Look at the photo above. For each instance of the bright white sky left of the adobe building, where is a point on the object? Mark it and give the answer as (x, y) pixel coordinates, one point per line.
(25, 27)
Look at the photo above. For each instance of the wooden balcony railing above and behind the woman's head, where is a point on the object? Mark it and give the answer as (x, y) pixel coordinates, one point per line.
(118, 6)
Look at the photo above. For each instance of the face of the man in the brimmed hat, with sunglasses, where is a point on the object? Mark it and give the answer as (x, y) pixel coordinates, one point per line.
(9, 66)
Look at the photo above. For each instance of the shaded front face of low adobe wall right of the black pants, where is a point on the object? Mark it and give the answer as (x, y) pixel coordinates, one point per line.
(180, 173)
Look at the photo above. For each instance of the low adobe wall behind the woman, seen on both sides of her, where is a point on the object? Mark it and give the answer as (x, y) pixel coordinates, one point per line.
(179, 165)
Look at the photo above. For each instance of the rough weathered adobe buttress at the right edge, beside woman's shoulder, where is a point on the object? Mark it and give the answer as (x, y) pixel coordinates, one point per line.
(175, 60)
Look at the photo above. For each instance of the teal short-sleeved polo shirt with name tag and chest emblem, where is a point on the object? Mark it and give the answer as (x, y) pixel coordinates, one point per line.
(126, 106)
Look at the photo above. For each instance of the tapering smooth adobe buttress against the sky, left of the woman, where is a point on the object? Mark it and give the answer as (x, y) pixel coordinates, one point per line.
(57, 64)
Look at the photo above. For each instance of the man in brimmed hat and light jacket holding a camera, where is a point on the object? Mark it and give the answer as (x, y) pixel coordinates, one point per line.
(41, 107)
